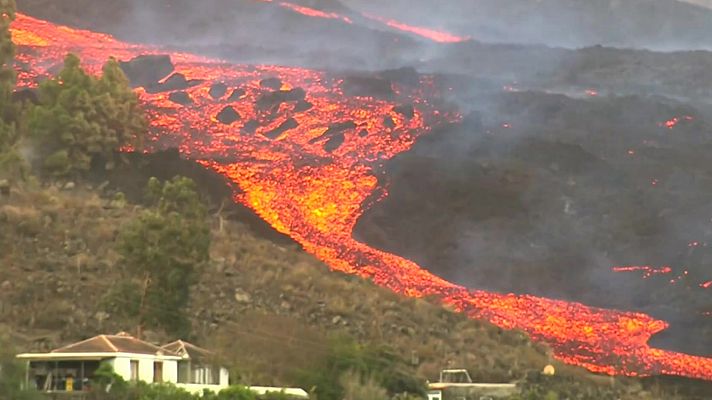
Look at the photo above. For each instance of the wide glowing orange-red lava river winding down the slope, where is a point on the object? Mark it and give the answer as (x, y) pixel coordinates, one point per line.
(304, 164)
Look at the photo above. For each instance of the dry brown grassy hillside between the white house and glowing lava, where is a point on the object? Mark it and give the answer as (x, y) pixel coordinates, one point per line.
(268, 308)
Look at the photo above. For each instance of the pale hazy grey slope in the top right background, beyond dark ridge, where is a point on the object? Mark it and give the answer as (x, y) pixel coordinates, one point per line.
(653, 24)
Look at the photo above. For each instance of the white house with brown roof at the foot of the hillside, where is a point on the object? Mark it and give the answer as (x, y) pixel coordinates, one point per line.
(70, 368)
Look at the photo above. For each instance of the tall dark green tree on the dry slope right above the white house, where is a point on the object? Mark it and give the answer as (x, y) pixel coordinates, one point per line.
(162, 250)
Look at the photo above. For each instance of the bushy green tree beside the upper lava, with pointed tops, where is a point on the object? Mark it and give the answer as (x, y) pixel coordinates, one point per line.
(81, 119)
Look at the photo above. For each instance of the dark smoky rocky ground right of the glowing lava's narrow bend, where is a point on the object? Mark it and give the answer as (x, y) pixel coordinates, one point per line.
(545, 194)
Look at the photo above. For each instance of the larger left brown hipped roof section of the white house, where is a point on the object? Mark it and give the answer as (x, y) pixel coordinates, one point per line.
(119, 343)
